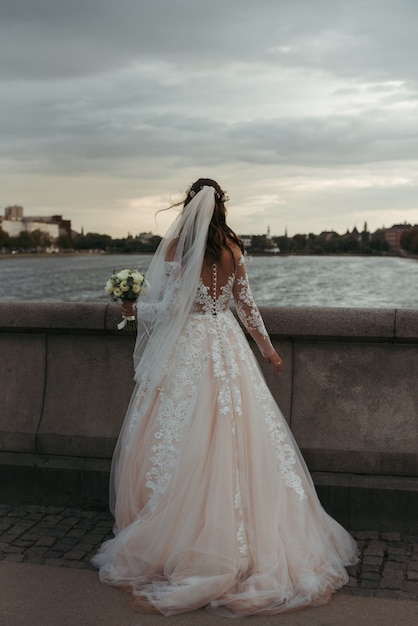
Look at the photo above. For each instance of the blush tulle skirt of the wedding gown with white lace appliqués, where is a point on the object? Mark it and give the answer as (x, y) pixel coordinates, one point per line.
(212, 500)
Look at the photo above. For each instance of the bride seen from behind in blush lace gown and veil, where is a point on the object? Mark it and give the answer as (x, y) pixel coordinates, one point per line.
(212, 500)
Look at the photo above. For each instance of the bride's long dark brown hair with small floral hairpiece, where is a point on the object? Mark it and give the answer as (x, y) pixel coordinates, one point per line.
(220, 235)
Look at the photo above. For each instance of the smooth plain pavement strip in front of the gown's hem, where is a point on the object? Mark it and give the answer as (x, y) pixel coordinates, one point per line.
(42, 595)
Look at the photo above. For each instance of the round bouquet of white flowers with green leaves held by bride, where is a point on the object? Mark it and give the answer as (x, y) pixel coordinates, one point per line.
(127, 286)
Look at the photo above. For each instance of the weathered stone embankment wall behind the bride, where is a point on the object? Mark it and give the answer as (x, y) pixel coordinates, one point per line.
(348, 391)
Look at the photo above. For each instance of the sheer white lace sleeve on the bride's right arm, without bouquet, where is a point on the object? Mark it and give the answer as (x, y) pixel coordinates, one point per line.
(248, 312)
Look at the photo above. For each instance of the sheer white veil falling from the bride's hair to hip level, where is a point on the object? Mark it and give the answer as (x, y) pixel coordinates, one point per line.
(173, 275)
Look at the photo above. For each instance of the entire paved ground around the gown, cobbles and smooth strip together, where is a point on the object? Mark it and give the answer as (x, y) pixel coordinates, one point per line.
(46, 578)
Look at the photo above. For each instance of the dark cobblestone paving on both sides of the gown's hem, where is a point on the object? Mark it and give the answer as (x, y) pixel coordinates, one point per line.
(62, 537)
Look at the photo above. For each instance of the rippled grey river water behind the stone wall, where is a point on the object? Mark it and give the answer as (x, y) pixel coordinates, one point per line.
(329, 281)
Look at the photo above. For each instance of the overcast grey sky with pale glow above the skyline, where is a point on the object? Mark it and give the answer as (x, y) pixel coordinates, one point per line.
(305, 111)
